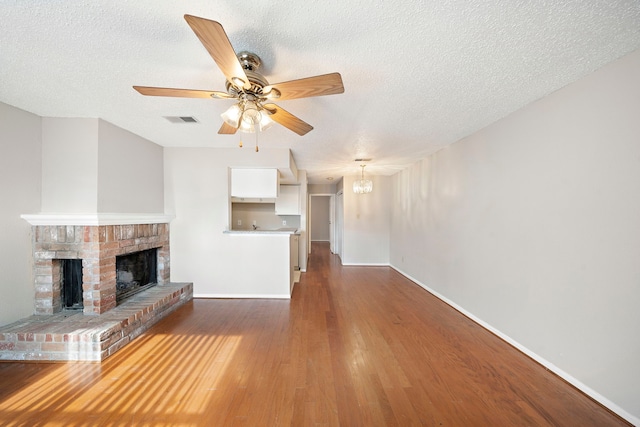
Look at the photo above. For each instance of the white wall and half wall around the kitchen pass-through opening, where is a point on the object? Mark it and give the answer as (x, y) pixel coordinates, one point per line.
(197, 193)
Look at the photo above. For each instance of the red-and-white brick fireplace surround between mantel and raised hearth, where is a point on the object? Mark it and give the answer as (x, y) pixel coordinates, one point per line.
(97, 246)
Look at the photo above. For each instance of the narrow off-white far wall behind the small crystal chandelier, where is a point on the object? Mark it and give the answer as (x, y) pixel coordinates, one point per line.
(366, 223)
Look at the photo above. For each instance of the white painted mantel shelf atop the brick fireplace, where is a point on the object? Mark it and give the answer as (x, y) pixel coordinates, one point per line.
(94, 219)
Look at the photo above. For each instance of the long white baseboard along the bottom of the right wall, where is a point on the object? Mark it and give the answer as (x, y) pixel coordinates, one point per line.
(550, 366)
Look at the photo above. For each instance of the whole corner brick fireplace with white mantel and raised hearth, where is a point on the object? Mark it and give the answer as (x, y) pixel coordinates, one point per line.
(108, 320)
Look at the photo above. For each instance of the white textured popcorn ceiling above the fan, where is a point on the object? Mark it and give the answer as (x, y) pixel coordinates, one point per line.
(418, 75)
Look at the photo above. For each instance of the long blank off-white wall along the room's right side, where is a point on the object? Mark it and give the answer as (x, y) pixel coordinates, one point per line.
(532, 225)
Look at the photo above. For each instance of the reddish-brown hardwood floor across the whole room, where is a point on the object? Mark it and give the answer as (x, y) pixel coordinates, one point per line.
(355, 346)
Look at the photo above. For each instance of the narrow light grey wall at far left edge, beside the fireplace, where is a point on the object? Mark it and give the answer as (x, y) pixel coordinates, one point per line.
(20, 190)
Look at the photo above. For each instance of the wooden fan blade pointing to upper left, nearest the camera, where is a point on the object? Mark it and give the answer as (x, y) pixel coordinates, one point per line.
(215, 40)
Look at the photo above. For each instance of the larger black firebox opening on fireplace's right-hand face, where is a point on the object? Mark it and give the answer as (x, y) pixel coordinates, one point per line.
(135, 272)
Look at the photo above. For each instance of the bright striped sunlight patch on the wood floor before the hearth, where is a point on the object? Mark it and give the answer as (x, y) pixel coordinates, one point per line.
(148, 386)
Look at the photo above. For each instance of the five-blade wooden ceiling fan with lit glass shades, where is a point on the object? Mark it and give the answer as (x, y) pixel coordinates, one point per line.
(254, 109)
